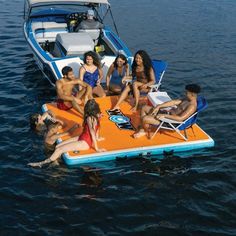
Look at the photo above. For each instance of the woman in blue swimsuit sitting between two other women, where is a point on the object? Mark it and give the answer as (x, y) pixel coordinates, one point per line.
(116, 73)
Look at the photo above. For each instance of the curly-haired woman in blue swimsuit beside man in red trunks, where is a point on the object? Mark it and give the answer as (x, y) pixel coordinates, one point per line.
(91, 73)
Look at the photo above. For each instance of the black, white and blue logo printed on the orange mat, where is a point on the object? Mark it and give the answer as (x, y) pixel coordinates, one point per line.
(122, 122)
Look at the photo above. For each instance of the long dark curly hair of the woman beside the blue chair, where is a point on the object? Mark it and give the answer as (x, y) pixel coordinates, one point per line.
(147, 63)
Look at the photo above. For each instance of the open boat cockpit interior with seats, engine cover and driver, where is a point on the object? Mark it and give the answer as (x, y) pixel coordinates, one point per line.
(73, 34)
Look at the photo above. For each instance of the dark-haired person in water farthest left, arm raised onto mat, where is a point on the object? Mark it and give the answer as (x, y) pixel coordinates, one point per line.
(41, 122)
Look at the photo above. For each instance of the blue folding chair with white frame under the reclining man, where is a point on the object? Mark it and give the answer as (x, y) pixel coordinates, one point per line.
(177, 126)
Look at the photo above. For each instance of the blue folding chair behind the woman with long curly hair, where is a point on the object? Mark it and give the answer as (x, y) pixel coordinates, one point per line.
(159, 70)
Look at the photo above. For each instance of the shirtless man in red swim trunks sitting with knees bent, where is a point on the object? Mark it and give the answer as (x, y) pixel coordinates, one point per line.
(66, 98)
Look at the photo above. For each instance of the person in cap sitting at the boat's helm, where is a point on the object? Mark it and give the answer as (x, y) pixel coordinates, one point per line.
(90, 22)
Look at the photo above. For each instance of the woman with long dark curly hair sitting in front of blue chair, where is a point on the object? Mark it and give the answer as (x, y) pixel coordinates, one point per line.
(142, 75)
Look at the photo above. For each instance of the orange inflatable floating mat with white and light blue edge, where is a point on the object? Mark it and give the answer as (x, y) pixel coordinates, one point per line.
(117, 129)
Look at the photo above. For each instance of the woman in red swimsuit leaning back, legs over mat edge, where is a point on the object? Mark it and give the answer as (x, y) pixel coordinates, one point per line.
(88, 139)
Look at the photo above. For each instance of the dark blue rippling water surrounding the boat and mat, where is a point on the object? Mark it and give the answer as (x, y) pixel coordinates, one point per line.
(197, 38)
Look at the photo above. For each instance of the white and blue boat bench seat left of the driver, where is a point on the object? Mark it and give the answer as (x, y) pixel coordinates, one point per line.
(47, 31)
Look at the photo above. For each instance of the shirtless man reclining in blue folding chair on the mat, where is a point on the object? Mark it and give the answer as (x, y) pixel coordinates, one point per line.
(178, 110)
